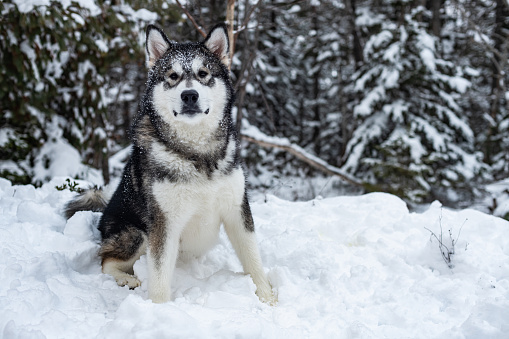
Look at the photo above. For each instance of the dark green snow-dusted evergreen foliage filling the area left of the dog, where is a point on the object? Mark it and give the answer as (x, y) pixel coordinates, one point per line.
(69, 80)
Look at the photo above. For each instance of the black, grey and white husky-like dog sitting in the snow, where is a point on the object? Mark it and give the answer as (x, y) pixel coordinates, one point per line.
(184, 176)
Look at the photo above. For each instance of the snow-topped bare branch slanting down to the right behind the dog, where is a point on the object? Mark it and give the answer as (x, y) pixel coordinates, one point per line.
(254, 135)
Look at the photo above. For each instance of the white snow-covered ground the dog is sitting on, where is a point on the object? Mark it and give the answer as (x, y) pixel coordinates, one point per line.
(345, 267)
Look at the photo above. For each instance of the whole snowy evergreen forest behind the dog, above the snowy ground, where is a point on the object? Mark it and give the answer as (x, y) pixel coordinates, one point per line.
(406, 97)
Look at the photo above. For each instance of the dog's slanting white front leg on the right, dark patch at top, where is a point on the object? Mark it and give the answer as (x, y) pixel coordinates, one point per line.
(239, 227)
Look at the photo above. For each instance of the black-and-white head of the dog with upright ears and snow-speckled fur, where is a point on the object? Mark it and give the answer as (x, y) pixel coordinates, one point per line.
(190, 82)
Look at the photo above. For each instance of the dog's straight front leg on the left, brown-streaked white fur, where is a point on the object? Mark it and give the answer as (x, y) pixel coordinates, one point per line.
(162, 257)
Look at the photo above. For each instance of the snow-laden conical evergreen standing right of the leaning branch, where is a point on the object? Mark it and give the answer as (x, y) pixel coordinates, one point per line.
(411, 138)
